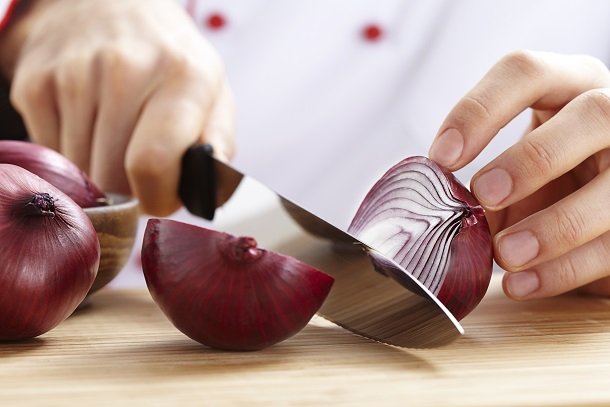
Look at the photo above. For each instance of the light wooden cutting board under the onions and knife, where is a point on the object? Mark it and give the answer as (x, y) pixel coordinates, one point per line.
(120, 350)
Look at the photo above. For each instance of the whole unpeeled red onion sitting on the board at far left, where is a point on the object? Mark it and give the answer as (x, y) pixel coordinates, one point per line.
(50, 254)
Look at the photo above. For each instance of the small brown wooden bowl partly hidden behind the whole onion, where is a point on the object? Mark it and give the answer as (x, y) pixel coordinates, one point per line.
(116, 225)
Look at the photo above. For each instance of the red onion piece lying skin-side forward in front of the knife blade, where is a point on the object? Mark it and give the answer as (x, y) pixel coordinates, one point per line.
(223, 291)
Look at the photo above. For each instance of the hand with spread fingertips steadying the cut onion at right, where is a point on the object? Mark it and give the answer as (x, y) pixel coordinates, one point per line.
(547, 195)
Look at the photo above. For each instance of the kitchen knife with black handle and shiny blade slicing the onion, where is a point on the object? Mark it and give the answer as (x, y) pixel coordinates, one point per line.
(372, 295)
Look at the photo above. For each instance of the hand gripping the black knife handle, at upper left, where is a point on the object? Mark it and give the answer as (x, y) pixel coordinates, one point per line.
(121, 88)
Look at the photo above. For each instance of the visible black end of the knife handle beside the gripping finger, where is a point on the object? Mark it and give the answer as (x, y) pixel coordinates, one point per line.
(197, 186)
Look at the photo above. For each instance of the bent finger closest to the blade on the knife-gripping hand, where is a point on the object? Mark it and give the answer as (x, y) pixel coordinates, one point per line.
(171, 121)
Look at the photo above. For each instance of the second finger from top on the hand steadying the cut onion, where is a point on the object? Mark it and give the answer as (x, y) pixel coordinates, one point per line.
(578, 131)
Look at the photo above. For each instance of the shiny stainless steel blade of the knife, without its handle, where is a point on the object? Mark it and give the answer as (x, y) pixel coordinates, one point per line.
(372, 295)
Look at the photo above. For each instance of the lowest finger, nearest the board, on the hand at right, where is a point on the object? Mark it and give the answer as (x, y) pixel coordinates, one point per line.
(584, 265)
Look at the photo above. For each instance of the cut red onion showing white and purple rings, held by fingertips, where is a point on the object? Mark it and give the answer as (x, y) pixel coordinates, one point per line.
(422, 217)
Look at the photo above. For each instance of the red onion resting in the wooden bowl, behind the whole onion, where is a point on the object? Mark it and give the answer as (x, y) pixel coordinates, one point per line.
(55, 169)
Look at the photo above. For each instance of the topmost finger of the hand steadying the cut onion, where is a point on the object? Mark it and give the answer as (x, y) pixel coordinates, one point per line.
(520, 80)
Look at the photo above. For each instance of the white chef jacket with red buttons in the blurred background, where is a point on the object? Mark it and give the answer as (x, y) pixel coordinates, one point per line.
(331, 93)
